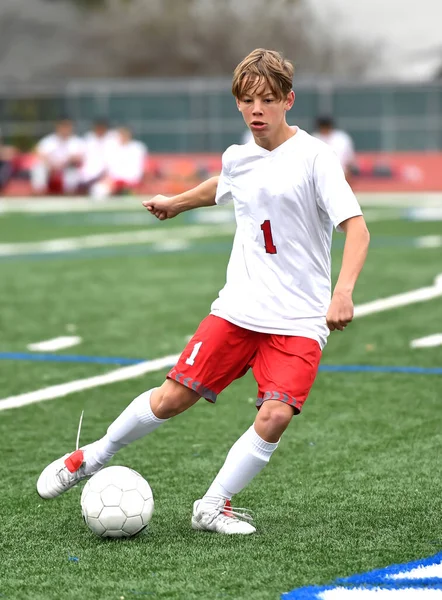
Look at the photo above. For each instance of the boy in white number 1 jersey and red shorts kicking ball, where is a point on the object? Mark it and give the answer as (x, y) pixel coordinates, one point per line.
(275, 311)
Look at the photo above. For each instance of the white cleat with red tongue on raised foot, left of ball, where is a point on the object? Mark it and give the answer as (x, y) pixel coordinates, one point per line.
(62, 474)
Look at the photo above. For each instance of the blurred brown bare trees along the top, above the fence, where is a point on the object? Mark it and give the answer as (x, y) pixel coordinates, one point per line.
(138, 38)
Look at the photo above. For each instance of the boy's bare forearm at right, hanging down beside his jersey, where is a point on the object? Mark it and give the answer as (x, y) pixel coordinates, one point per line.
(355, 253)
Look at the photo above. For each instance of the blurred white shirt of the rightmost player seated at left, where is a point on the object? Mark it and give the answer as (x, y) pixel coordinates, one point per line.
(127, 162)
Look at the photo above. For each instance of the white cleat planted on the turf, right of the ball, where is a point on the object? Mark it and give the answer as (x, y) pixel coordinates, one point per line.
(221, 518)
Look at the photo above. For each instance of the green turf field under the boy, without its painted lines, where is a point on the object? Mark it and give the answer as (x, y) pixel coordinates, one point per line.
(354, 485)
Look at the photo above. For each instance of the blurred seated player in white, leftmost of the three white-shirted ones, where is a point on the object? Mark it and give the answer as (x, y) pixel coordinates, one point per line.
(59, 157)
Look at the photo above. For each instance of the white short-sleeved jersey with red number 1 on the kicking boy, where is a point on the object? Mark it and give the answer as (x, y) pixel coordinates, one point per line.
(286, 203)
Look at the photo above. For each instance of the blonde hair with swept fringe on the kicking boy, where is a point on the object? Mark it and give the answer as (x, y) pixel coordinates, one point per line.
(263, 67)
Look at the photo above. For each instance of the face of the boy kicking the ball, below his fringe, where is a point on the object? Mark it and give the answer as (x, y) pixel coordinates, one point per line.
(264, 112)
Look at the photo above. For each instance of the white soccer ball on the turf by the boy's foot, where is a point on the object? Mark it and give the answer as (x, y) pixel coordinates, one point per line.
(117, 502)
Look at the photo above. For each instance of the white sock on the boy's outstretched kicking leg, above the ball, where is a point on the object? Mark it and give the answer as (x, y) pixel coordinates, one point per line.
(136, 421)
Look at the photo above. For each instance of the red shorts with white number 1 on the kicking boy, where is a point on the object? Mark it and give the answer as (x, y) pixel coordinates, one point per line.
(284, 366)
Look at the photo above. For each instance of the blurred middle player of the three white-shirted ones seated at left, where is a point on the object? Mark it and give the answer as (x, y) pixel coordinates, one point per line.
(98, 146)
